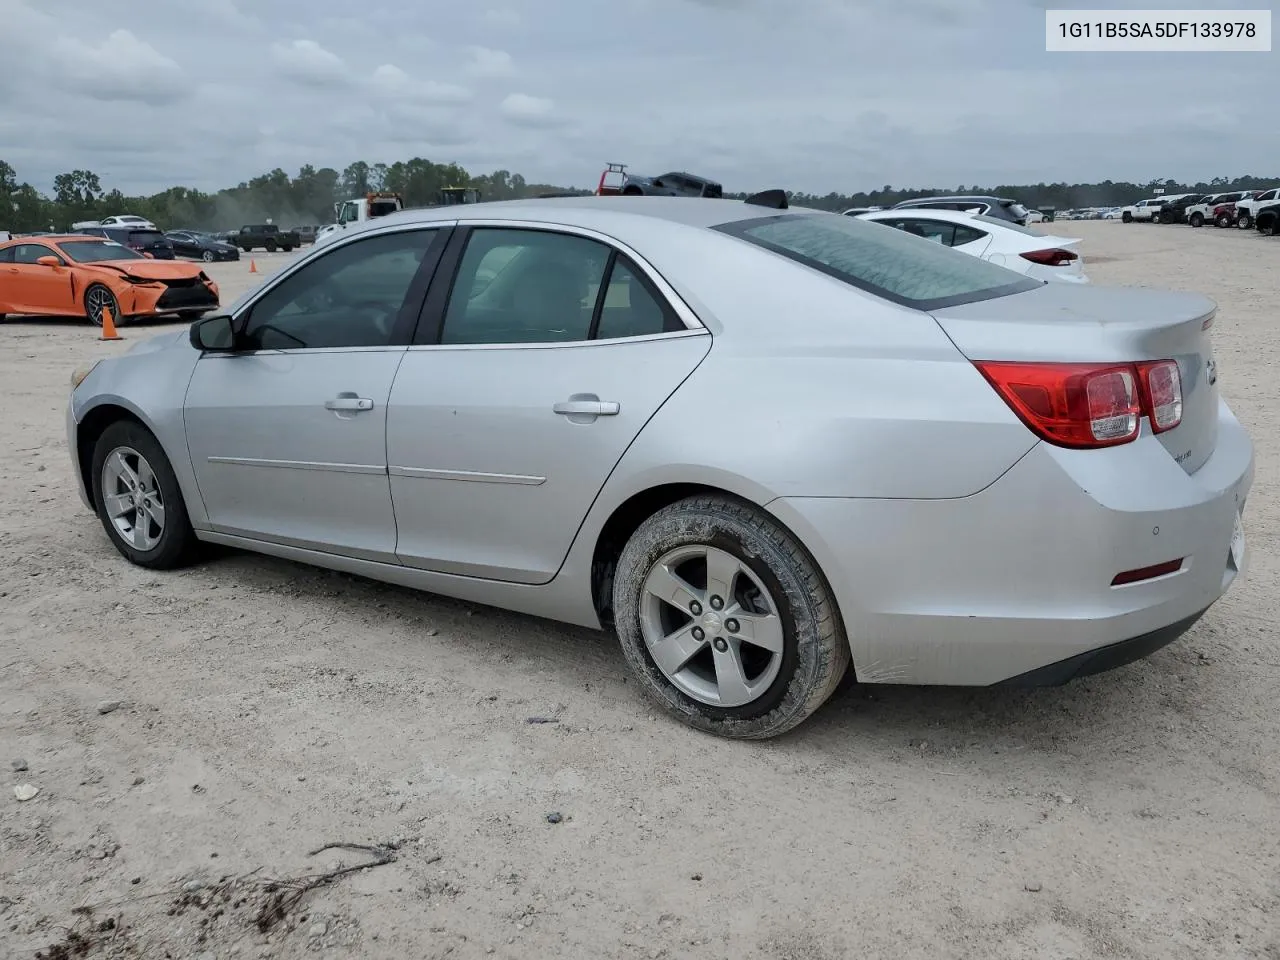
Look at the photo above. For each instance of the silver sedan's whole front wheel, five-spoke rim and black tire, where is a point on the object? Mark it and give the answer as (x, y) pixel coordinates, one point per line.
(139, 500)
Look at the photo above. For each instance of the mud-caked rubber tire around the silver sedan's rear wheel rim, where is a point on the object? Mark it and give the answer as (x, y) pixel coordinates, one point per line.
(816, 651)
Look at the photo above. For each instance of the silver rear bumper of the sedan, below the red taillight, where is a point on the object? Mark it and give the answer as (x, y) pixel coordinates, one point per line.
(1014, 583)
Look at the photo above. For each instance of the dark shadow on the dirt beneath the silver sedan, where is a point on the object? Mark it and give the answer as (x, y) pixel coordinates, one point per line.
(944, 723)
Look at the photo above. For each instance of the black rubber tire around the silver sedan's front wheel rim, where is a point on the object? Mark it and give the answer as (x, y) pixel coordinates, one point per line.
(177, 542)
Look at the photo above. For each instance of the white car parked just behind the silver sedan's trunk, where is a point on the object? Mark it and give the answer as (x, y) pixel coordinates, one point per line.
(1000, 243)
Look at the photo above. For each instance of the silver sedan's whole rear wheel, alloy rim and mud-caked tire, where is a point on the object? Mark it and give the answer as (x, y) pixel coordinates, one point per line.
(726, 620)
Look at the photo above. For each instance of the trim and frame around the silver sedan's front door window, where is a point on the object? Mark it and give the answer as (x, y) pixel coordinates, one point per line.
(403, 330)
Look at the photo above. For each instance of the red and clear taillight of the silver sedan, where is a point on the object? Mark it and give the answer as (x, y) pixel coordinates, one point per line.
(1090, 405)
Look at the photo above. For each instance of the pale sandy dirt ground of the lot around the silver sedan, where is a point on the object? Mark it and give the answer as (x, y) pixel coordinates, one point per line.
(267, 710)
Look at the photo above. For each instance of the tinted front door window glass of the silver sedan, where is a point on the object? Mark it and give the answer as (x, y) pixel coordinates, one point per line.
(350, 298)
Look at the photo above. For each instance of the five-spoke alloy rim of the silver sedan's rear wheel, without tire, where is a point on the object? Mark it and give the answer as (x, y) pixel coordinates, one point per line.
(711, 627)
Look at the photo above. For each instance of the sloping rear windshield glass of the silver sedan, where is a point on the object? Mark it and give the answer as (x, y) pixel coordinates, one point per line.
(892, 264)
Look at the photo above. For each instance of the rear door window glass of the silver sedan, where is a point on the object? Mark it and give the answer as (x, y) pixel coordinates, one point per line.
(545, 287)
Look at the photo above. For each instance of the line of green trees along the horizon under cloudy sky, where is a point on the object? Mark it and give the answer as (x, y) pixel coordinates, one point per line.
(309, 196)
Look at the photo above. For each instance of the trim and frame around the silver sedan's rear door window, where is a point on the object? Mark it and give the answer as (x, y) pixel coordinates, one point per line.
(431, 324)
